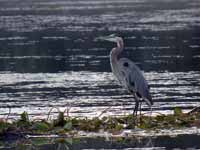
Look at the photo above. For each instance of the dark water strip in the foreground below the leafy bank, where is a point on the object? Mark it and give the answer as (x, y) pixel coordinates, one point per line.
(116, 143)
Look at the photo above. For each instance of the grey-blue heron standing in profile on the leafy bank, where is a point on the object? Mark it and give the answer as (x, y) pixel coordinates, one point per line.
(128, 74)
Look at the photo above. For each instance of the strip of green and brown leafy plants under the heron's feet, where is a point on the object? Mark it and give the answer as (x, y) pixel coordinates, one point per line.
(62, 125)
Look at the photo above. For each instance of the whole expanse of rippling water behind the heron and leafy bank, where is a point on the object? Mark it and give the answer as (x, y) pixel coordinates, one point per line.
(49, 56)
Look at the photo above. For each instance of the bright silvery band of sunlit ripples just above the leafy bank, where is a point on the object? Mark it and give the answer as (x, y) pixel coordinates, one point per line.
(89, 93)
